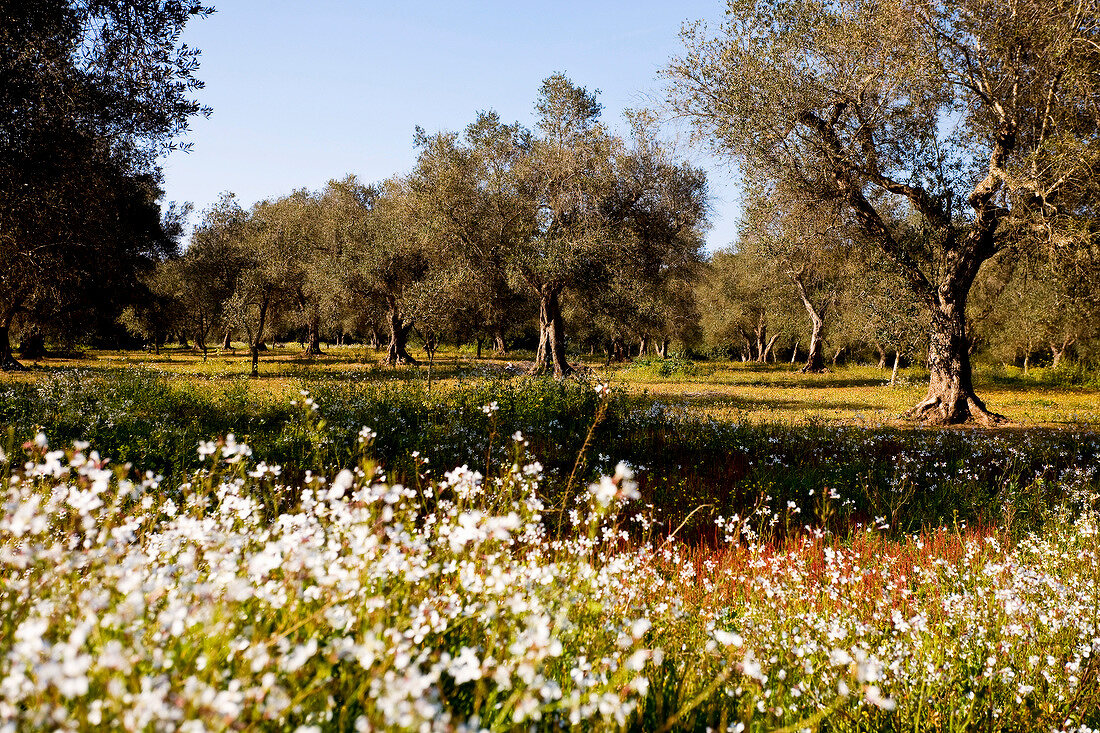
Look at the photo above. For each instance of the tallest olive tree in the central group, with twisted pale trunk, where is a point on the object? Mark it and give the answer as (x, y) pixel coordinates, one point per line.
(567, 211)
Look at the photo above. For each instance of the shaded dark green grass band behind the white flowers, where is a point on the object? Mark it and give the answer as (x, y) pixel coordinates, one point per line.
(910, 479)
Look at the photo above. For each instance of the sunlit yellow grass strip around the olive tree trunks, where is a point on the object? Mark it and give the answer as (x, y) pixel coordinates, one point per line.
(730, 392)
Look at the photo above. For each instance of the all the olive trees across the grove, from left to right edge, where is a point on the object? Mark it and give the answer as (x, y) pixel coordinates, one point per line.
(919, 178)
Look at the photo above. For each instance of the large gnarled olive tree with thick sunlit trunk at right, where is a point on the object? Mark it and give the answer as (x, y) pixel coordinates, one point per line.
(971, 122)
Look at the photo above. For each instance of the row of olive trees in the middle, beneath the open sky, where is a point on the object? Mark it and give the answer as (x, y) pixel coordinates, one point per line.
(498, 234)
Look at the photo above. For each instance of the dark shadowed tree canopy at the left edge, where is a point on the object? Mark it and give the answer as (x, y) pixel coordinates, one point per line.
(91, 95)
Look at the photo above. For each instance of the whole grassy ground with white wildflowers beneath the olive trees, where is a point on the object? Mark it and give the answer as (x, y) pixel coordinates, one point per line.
(705, 546)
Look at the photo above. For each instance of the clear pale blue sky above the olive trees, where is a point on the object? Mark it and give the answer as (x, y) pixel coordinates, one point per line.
(307, 92)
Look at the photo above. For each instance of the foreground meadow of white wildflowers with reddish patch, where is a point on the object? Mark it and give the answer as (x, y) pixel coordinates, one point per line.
(240, 597)
